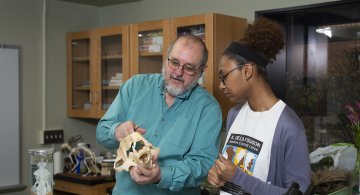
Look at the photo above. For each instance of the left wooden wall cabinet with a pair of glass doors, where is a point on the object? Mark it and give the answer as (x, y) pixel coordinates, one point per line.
(98, 62)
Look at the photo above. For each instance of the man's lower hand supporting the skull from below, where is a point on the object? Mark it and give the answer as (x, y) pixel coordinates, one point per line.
(142, 175)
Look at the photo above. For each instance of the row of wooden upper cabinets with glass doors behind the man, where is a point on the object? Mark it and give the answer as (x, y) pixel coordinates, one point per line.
(100, 60)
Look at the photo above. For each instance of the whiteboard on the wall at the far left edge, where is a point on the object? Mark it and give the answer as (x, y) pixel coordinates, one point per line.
(9, 118)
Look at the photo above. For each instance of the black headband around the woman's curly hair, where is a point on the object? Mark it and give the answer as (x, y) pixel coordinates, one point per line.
(241, 50)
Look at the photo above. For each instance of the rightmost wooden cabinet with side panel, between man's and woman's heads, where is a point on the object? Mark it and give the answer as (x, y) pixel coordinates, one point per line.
(218, 31)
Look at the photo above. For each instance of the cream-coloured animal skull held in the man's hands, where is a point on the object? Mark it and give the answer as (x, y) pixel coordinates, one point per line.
(134, 150)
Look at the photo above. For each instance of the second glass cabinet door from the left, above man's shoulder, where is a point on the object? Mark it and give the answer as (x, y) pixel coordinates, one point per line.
(113, 65)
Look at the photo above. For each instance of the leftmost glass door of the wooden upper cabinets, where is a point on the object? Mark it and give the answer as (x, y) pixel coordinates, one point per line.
(79, 66)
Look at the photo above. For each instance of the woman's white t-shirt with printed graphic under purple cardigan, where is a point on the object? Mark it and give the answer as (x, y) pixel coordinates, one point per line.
(249, 141)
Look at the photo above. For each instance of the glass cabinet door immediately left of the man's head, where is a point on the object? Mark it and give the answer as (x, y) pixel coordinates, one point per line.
(149, 42)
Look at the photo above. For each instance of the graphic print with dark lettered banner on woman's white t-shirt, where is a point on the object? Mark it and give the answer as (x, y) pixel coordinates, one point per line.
(243, 151)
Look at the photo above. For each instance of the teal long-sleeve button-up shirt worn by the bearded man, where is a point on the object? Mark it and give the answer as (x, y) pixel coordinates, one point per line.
(187, 134)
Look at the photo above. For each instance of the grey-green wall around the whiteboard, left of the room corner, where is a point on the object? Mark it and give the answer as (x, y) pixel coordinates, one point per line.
(21, 25)
